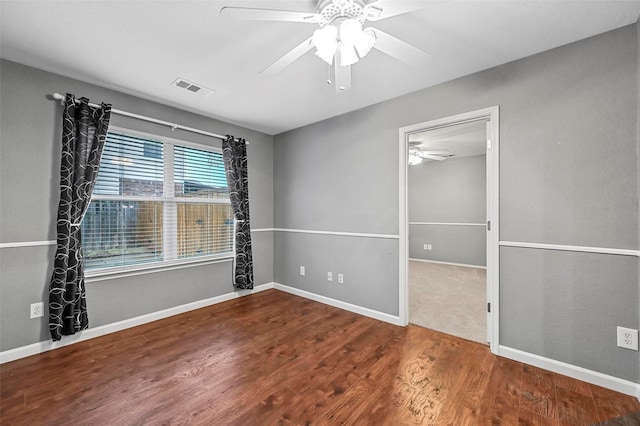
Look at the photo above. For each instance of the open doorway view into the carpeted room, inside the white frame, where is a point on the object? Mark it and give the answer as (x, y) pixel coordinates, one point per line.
(446, 187)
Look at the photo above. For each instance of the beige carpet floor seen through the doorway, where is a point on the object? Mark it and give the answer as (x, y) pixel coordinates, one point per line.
(449, 298)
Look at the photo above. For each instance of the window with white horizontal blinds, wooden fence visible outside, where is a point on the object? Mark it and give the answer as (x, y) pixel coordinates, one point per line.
(154, 203)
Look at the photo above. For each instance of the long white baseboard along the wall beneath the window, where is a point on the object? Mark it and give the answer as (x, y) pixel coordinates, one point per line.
(90, 333)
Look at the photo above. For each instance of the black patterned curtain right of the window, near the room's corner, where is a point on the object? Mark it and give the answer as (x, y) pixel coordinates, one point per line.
(234, 153)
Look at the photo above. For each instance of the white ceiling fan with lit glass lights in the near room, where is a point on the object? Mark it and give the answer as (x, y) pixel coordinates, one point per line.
(341, 39)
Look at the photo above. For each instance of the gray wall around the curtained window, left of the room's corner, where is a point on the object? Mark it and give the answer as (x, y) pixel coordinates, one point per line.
(29, 189)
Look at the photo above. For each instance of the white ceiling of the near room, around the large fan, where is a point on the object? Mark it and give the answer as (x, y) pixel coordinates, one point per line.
(141, 47)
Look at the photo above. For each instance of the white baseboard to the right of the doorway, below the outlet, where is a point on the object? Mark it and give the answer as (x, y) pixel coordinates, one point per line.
(589, 376)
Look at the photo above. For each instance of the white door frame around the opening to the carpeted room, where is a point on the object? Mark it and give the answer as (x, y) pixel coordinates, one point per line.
(492, 115)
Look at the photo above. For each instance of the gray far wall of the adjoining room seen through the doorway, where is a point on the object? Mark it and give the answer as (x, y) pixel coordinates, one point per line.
(450, 191)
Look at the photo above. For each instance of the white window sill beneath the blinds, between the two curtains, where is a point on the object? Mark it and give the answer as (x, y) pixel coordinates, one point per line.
(115, 273)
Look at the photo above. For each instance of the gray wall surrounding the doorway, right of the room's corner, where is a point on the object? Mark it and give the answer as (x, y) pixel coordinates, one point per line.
(568, 175)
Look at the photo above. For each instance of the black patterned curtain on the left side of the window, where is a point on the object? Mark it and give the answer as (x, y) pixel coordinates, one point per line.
(84, 130)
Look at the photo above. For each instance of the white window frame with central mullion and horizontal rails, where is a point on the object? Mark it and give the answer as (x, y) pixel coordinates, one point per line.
(168, 182)
